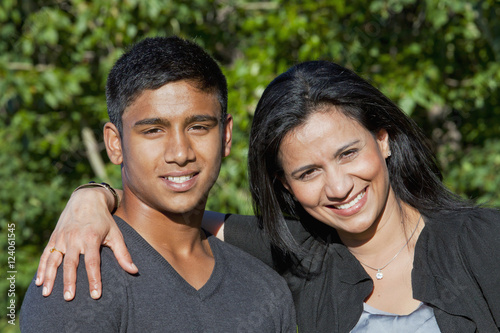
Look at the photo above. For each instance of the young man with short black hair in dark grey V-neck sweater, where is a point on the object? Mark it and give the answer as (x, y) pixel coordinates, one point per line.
(169, 131)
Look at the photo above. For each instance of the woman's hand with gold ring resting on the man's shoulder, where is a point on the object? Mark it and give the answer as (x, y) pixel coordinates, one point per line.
(83, 226)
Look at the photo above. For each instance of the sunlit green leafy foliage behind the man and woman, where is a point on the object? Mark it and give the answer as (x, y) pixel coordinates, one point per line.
(438, 59)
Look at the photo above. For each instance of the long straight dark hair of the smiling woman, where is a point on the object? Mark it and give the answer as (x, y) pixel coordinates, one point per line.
(306, 88)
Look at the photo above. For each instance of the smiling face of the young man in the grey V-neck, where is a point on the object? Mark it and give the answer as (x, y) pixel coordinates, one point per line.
(171, 147)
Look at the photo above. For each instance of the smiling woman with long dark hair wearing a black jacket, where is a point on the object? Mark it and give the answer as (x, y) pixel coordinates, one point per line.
(350, 199)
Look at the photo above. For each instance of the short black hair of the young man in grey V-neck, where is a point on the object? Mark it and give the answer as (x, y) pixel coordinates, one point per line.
(154, 62)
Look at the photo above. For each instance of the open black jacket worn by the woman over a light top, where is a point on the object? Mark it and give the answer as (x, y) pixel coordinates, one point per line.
(456, 271)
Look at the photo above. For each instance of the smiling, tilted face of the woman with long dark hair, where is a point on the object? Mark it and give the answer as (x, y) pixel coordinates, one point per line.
(336, 169)
